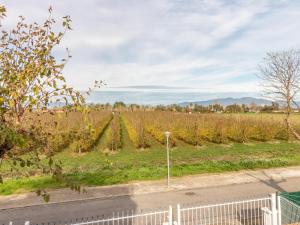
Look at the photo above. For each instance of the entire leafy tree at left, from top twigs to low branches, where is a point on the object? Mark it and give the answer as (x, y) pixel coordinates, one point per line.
(31, 78)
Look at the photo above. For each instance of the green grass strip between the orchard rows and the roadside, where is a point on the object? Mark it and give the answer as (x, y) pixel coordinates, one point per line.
(96, 168)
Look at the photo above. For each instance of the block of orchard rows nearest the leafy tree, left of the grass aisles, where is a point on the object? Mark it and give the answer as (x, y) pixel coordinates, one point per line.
(70, 129)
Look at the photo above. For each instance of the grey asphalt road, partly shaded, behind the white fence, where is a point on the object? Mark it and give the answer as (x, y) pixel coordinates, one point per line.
(63, 213)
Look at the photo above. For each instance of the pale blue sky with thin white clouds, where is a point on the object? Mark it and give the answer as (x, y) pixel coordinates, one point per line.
(209, 45)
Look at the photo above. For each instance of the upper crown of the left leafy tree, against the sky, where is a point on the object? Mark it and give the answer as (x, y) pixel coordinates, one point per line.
(31, 77)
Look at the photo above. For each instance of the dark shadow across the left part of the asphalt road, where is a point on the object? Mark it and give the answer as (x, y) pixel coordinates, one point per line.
(71, 212)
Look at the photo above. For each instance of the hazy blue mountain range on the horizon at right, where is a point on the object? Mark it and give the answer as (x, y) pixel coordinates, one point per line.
(230, 101)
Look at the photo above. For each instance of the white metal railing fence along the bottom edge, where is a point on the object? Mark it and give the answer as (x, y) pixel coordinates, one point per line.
(260, 211)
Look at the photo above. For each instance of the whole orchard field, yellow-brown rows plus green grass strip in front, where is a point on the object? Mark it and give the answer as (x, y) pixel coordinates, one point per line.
(125, 146)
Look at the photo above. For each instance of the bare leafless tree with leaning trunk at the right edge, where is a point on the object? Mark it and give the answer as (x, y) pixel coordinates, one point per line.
(280, 76)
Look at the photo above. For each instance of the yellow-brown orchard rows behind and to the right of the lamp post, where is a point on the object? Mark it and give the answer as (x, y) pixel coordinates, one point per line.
(196, 129)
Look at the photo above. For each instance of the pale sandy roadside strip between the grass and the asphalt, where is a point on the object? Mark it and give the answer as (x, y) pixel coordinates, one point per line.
(272, 176)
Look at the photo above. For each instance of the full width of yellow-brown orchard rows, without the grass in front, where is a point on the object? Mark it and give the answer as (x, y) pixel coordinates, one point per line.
(70, 130)
